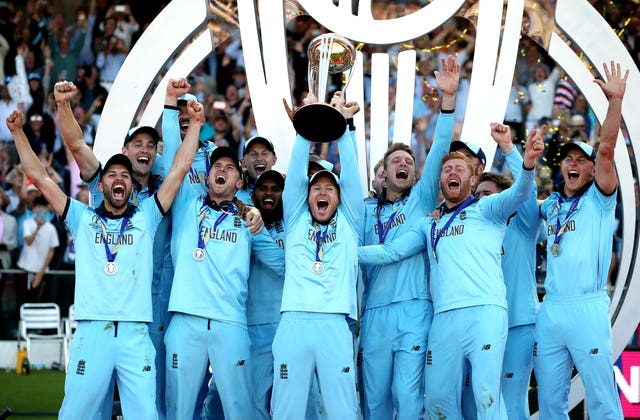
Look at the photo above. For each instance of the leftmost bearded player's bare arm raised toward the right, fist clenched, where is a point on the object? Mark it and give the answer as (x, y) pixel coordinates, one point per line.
(184, 158)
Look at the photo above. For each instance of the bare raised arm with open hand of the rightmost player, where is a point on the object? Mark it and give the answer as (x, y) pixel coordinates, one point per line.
(614, 88)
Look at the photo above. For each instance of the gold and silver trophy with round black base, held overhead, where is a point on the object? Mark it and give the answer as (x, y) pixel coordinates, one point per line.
(328, 54)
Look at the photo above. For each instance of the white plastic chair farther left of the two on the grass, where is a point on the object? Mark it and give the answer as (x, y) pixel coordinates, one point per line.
(41, 322)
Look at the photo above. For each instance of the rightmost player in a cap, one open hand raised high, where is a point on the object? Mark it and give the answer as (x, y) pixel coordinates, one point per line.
(573, 327)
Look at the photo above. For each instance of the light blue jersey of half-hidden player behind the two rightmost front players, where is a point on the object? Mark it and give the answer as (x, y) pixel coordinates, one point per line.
(519, 258)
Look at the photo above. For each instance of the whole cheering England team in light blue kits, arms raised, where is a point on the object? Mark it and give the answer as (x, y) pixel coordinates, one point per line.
(214, 287)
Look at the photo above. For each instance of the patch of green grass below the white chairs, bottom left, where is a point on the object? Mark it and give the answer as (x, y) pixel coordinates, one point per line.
(38, 395)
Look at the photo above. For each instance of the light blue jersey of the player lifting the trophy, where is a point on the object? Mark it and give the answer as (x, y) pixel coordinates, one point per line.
(334, 290)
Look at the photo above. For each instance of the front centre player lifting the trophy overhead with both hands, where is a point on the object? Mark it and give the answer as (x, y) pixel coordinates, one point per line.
(321, 217)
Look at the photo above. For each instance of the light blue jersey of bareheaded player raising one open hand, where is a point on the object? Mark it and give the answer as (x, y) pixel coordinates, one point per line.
(405, 279)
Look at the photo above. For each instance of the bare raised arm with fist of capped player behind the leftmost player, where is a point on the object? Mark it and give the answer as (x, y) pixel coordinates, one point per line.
(64, 93)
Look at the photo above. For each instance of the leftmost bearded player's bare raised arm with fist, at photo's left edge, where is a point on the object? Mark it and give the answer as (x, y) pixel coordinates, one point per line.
(33, 167)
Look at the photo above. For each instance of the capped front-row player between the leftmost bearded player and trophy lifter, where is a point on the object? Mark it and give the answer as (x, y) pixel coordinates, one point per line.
(209, 292)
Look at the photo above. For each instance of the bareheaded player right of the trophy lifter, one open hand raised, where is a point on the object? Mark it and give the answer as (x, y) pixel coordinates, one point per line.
(397, 308)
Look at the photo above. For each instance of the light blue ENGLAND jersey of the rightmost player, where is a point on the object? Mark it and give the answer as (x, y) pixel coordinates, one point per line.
(586, 246)
